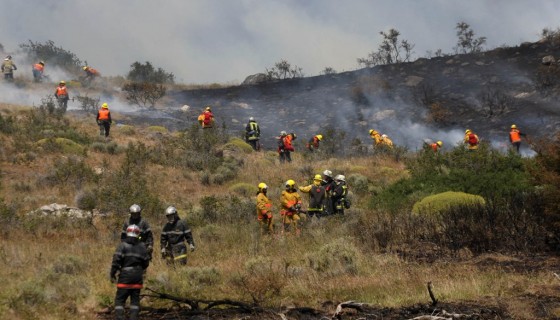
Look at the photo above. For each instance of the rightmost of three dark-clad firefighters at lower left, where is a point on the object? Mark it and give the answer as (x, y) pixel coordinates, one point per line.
(173, 237)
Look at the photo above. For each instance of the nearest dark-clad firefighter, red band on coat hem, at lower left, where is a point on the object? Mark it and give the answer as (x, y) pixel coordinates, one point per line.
(128, 267)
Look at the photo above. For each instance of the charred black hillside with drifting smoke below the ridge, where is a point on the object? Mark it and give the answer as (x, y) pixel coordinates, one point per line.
(427, 98)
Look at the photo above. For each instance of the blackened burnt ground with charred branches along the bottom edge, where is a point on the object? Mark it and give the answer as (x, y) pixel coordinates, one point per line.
(537, 304)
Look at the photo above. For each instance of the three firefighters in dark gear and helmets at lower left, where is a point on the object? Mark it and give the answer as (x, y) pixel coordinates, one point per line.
(134, 253)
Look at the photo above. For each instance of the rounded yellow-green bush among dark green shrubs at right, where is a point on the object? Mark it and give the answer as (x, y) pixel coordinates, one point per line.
(442, 202)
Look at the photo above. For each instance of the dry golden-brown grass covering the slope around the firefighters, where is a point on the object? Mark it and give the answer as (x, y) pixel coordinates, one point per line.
(59, 269)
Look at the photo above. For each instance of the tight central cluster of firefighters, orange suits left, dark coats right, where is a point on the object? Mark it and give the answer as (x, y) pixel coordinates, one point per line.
(327, 196)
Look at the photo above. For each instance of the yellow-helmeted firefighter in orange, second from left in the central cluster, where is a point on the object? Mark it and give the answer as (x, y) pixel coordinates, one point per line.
(290, 202)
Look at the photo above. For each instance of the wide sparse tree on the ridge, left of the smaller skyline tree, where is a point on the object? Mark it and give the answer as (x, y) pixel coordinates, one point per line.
(390, 51)
